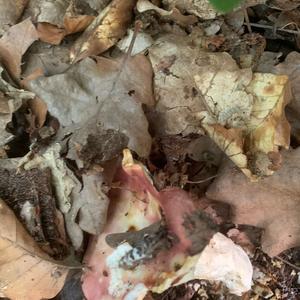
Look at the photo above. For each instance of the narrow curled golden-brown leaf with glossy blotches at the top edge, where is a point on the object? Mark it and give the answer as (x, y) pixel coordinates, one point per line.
(105, 30)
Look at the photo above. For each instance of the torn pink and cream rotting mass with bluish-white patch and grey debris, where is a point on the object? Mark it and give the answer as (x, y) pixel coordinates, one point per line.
(150, 252)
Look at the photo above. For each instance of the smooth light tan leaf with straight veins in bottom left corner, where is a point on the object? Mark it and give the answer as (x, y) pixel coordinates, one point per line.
(25, 272)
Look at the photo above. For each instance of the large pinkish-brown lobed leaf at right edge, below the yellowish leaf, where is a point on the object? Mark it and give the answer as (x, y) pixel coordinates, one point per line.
(272, 203)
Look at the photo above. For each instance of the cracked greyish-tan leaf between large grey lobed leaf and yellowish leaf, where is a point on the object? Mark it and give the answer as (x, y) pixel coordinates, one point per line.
(175, 61)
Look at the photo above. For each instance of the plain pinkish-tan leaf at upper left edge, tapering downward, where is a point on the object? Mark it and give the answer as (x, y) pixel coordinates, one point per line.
(14, 44)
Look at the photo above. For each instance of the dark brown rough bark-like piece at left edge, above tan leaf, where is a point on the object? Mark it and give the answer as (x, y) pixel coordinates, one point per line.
(29, 194)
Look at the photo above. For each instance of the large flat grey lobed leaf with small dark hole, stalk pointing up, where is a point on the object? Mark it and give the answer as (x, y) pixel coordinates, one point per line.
(95, 96)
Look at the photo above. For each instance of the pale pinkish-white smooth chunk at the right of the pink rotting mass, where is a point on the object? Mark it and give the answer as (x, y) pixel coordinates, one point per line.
(222, 260)
